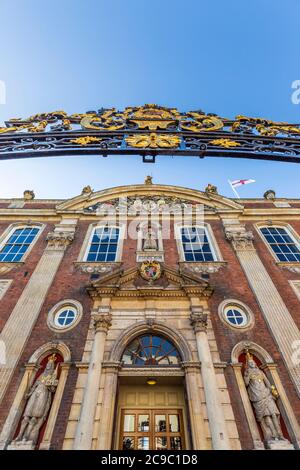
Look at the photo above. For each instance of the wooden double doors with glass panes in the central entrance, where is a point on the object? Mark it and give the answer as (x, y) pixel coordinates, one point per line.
(151, 429)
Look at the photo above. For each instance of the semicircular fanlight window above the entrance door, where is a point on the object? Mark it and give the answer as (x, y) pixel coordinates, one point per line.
(150, 350)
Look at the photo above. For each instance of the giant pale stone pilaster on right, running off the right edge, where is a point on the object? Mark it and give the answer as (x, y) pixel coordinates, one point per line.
(279, 320)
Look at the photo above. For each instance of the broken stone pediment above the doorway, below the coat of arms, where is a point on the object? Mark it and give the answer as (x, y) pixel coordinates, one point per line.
(131, 282)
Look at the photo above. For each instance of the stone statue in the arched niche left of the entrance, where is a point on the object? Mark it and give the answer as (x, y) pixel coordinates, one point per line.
(38, 405)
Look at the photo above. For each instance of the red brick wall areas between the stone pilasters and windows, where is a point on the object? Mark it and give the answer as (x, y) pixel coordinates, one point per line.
(70, 282)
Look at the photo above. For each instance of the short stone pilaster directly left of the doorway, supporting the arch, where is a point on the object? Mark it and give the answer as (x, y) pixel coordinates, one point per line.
(108, 406)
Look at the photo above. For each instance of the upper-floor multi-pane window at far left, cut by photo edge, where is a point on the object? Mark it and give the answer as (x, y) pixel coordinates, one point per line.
(17, 243)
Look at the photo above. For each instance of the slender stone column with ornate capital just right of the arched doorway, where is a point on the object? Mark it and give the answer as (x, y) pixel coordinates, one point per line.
(219, 434)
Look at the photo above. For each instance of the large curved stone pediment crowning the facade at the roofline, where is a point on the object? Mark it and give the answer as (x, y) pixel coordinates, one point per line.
(146, 195)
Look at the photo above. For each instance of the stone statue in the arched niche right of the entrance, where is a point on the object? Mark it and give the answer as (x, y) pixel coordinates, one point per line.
(263, 396)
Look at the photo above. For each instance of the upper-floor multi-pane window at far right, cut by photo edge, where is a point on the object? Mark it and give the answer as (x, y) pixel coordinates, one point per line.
(282, 243)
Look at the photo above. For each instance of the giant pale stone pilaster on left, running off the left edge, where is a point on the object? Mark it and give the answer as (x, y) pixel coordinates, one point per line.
(20, 323)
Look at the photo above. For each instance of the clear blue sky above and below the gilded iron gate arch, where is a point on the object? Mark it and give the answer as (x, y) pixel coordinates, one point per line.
(226, 57)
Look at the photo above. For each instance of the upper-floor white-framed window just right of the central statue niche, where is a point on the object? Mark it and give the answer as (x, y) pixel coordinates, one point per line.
(196, 245)
